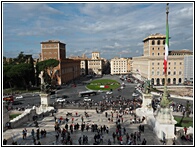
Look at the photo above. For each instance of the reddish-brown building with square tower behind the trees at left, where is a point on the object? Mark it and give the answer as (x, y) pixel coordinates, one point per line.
(68, 69)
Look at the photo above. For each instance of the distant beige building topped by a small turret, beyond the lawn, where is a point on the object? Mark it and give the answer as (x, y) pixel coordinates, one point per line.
(95, 64)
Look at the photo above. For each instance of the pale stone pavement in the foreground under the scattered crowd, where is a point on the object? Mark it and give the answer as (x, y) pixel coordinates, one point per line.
(47, 123)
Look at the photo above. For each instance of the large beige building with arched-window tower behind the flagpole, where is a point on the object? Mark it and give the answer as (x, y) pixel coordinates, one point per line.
(150, 66)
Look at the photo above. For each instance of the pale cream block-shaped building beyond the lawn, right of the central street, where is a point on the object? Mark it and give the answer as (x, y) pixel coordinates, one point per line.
(120, 65)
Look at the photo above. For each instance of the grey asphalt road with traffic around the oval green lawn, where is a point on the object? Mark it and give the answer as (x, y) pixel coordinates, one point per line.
(72, 92)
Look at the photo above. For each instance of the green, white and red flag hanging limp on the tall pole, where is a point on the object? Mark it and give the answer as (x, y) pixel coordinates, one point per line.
(166, 48)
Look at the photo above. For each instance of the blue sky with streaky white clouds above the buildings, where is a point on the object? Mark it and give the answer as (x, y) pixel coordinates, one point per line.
(113, 29)
